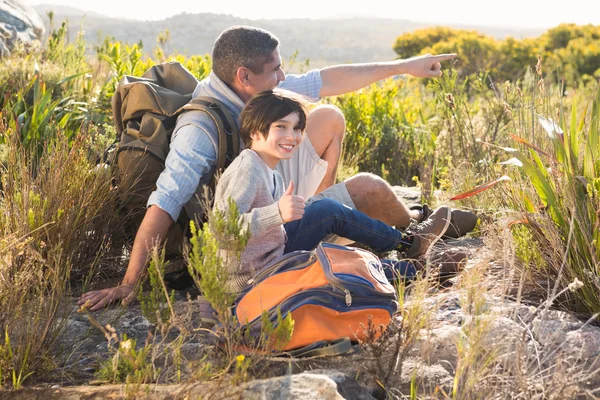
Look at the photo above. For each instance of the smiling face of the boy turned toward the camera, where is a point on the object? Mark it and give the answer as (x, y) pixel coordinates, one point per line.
(282, 141)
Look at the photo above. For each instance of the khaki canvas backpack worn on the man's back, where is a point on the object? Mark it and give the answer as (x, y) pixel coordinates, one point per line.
(145, 110)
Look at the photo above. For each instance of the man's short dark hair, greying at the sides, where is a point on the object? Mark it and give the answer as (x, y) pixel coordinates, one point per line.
(242, 46)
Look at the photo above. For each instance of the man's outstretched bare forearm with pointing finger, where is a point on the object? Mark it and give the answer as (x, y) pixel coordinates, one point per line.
(340, 79)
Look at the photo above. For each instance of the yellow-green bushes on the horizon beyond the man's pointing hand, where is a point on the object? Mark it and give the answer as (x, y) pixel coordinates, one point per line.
(572, 50)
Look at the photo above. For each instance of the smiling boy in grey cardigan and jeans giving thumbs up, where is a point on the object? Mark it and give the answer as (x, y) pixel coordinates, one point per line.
(271, 126)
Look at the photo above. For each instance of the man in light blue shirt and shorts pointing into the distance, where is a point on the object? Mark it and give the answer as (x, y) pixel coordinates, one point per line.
(246, 60)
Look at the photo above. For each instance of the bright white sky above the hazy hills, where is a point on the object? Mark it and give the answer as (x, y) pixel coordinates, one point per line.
(521, 13)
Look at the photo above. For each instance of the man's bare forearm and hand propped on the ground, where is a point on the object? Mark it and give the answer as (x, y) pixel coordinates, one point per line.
(153, 229)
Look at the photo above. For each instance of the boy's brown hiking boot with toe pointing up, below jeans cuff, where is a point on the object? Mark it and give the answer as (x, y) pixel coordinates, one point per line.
(429, 231)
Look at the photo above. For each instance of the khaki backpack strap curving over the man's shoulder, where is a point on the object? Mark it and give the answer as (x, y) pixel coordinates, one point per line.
(229, 138)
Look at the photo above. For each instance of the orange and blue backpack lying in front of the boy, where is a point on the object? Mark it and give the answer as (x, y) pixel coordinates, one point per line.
(331, 292)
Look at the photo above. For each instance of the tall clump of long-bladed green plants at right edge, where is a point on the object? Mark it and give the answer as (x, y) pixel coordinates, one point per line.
(556, 190)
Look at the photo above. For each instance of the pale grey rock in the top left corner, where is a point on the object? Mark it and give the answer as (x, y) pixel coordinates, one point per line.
(19, 22)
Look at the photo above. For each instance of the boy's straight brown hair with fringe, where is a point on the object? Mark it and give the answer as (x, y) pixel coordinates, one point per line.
(269, 106)
